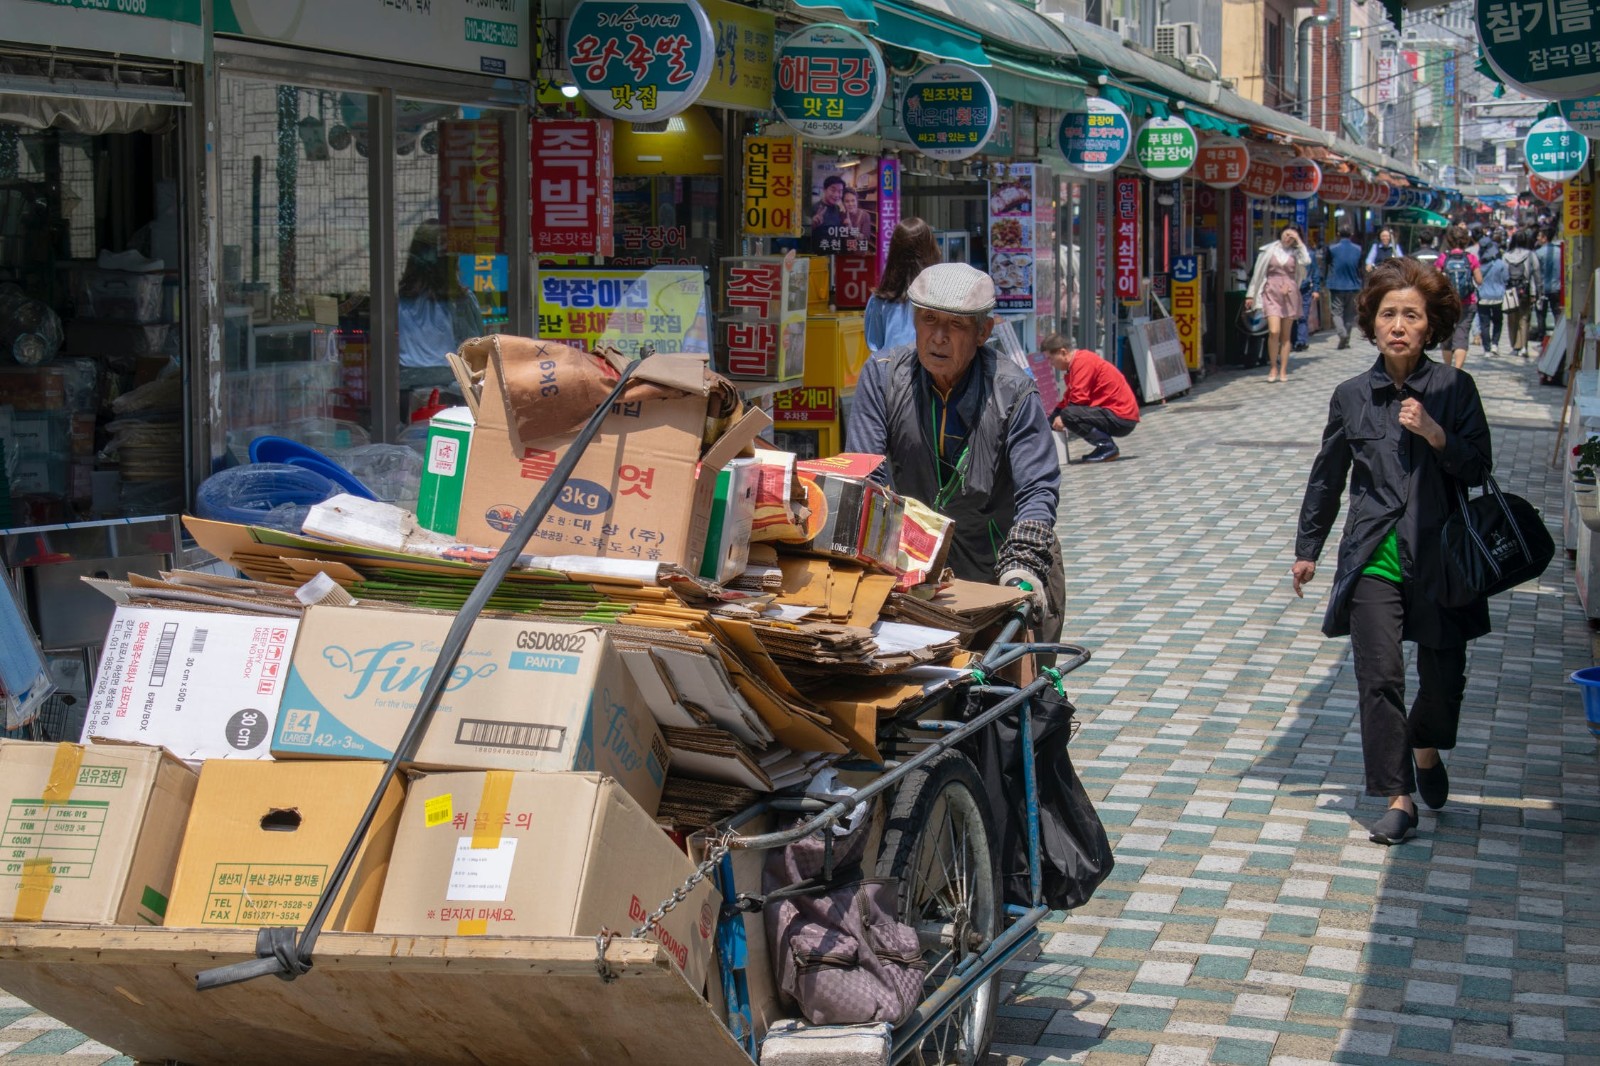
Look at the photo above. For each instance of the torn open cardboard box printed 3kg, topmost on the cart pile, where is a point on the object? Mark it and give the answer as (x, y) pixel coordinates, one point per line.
(638, 491)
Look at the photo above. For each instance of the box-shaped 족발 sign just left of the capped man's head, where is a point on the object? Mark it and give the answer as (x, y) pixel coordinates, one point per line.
(764, 316)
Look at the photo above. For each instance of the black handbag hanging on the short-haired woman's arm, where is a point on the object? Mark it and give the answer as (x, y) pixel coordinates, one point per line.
(1494, 543)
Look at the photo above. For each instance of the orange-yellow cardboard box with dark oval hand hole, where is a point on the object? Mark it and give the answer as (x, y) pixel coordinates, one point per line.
(265, 838)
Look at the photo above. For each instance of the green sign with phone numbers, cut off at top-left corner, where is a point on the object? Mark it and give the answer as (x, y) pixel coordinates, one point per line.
(161, 30)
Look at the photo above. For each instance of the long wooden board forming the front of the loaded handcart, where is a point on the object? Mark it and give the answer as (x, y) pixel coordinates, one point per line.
(369, 1000)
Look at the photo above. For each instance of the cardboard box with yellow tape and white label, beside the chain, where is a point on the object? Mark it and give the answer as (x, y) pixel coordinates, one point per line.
(540, 856)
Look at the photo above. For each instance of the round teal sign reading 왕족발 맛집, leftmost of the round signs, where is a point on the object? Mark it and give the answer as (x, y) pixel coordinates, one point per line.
(639, 60)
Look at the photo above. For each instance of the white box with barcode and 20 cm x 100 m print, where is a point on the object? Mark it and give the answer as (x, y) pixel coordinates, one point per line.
(201, 684)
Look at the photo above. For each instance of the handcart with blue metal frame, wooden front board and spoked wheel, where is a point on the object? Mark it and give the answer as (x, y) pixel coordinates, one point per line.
(188, 996)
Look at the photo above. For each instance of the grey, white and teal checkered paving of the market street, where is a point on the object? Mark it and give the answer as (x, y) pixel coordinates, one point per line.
(1249, 920)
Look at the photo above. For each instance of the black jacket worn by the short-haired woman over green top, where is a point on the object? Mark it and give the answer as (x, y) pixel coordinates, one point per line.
(1398, 481)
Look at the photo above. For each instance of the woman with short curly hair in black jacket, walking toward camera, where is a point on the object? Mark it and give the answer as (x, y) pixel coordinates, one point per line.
(1402, 435)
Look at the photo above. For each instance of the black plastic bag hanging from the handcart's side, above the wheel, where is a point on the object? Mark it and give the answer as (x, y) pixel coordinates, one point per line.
(1074, 851)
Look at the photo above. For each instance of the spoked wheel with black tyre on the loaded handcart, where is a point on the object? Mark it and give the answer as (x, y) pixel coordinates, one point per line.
(938, 843)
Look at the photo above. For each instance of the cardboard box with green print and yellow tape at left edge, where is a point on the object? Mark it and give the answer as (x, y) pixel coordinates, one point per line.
(92, 835)
